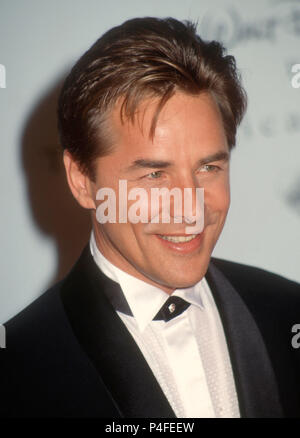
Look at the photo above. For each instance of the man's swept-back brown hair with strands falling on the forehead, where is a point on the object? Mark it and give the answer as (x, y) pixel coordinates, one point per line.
(143, 57)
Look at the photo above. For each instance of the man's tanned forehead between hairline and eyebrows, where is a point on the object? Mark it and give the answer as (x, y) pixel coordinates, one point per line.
(183, 120)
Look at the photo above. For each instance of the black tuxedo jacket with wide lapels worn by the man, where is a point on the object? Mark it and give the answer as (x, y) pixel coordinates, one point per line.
(69, 354)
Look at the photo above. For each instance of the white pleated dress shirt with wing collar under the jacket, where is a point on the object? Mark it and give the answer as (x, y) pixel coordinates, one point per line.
(188, 355)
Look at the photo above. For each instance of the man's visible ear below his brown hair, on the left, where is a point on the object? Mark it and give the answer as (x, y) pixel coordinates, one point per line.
(79, 183)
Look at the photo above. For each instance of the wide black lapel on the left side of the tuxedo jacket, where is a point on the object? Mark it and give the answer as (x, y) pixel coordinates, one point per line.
(109, 345)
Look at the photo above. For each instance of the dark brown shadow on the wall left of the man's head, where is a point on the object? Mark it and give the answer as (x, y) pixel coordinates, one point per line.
(53, 208)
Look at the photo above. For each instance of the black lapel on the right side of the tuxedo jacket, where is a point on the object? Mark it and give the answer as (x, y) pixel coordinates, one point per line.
(254, 376)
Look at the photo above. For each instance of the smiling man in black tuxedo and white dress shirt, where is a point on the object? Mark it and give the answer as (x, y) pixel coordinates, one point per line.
(147, 324)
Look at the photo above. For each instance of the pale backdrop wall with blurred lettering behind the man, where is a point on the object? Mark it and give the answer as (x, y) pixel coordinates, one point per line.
(42, 229)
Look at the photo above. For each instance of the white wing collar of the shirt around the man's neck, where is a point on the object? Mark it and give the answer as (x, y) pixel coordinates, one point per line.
(143, 299)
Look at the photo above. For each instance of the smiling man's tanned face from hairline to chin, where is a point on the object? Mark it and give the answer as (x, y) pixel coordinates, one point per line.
(189, 150)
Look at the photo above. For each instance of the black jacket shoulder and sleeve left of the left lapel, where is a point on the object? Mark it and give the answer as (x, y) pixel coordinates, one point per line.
(44, 371)
